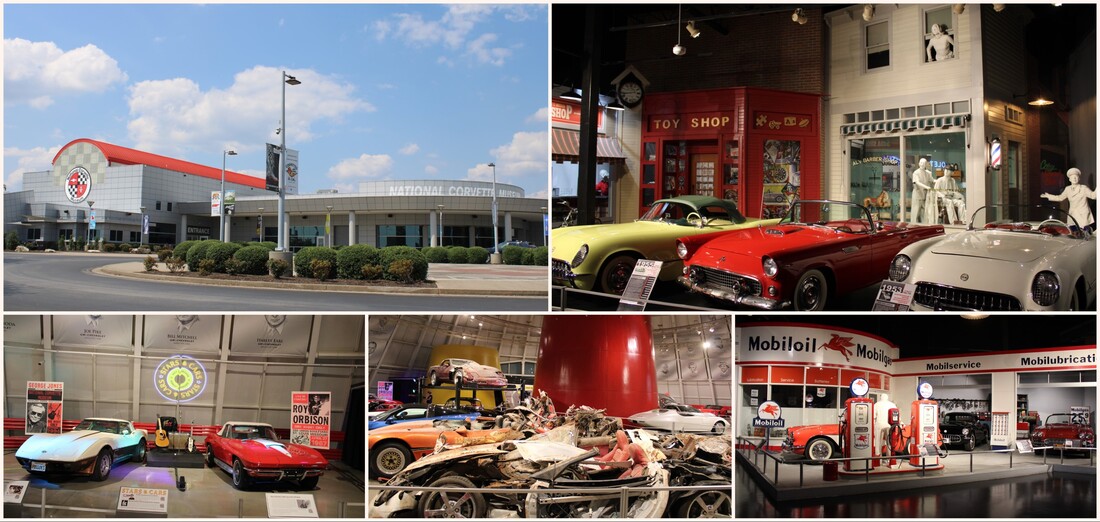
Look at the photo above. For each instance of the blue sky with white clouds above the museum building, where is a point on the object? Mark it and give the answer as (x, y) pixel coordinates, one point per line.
(390, 92)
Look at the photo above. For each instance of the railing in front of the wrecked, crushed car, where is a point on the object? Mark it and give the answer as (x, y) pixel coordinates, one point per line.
(586, 495)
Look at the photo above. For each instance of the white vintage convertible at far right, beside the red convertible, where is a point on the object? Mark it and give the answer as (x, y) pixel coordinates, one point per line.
(1009, 259)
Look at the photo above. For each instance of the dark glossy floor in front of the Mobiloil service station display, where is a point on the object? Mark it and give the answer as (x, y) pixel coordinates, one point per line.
(1028, 490)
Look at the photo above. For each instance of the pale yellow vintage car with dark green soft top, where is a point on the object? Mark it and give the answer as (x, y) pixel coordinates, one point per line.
(602, 258)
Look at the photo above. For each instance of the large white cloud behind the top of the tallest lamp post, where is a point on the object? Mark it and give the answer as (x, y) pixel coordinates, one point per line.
(173, 117)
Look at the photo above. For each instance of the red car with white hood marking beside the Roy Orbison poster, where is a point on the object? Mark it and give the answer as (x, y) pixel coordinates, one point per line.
(252, 452)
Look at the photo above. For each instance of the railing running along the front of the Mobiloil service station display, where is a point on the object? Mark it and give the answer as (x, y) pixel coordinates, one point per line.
(756, 453)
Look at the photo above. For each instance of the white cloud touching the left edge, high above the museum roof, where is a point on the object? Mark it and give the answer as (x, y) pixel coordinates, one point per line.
(38, 72)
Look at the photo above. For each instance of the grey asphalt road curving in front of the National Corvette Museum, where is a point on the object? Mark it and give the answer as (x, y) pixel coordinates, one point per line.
(41, 283)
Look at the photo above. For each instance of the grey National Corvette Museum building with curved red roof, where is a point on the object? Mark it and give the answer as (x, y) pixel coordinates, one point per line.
(98, 191)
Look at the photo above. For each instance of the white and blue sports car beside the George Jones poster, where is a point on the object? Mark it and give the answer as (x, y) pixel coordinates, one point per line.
(94, 448)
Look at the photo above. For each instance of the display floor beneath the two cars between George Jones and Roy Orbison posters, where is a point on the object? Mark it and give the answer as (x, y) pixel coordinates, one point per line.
(210, 493)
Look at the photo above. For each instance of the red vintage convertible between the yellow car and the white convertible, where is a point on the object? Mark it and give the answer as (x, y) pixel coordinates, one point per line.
(820, 249)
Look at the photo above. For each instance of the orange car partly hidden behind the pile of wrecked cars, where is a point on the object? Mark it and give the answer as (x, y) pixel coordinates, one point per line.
(393, 448)
